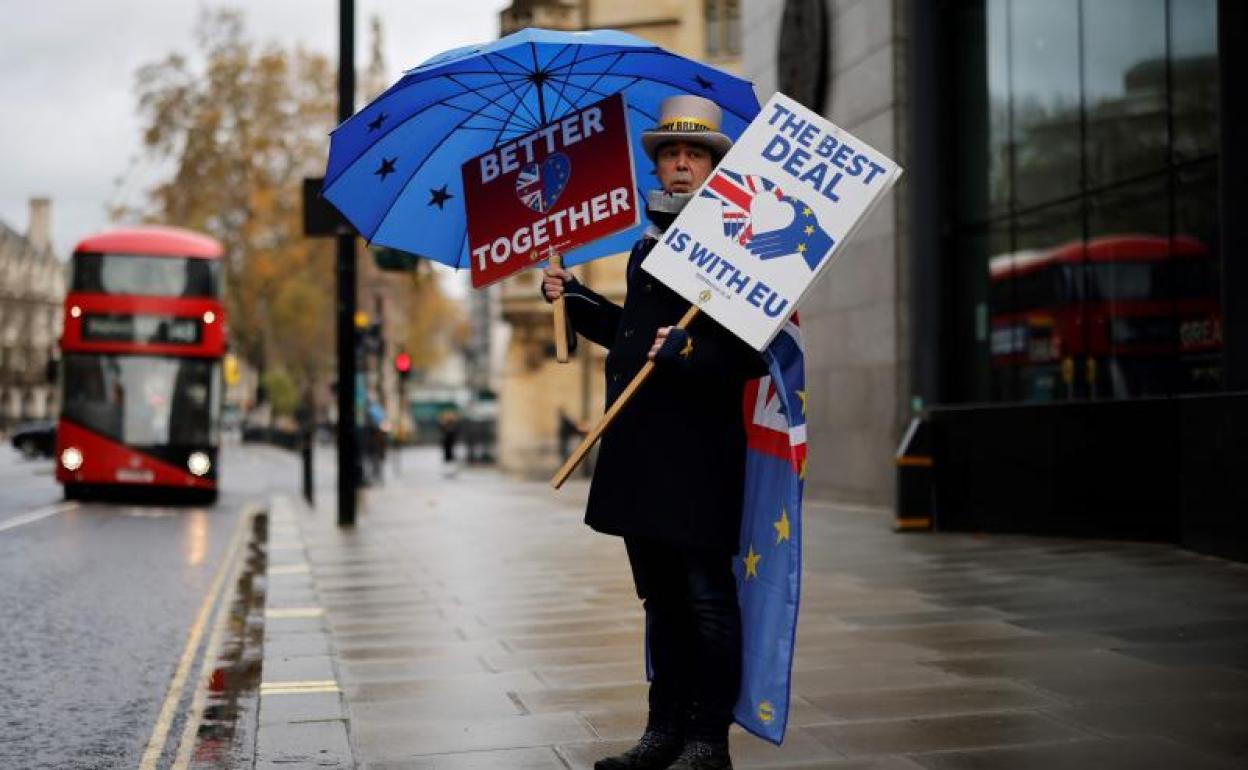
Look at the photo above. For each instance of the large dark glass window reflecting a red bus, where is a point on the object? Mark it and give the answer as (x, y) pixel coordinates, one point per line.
(1085, 245)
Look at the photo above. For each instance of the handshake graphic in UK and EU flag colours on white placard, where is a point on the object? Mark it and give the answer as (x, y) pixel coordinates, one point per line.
(769, 224)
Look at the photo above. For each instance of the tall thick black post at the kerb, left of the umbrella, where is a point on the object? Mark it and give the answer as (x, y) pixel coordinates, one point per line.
(349, 446)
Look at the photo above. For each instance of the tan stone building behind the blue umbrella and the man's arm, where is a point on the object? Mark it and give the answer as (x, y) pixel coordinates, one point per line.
(534, 387)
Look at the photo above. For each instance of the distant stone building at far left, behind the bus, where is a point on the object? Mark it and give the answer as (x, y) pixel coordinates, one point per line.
(32, 291)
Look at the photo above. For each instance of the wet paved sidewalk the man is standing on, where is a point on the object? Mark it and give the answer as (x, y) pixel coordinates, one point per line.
(474, 623)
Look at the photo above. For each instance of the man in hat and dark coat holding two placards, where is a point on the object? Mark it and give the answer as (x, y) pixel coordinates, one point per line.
(672, 470)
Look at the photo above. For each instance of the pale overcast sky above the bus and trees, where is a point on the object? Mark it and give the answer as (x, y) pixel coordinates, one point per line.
(71, 129)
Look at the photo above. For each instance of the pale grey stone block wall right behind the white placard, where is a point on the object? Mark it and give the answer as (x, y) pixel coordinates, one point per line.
(843, 58)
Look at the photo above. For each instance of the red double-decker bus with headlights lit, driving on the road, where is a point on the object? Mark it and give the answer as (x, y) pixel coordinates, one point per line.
(142, 365)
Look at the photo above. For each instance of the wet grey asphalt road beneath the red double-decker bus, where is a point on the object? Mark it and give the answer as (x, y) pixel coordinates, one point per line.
(97, 607)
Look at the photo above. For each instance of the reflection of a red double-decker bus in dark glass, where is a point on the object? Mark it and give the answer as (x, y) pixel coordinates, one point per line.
(1119, 316)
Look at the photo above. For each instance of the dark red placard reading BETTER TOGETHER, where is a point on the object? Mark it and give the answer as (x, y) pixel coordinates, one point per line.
(550, 192)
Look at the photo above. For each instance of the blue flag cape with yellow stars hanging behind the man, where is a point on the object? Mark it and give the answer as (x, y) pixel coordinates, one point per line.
(769, 567)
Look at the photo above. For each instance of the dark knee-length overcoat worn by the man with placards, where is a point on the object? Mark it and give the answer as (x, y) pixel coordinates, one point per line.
(672, 466)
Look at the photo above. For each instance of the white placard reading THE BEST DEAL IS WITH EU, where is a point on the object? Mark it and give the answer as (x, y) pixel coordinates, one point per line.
(771, 219)
